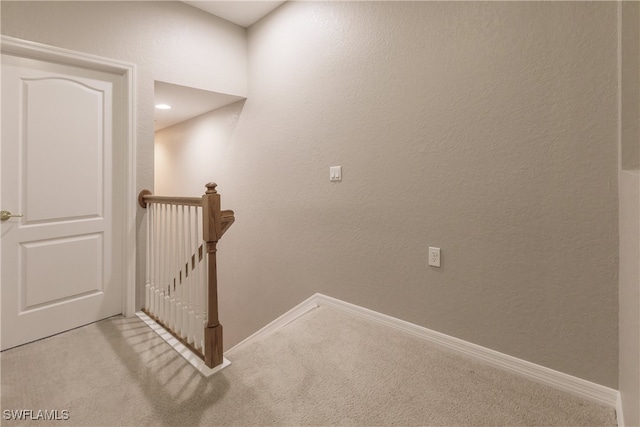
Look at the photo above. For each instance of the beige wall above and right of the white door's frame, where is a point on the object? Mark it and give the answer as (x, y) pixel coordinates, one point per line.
(167, 41)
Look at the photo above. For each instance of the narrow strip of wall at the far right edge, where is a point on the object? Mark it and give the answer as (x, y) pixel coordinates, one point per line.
(629, 195)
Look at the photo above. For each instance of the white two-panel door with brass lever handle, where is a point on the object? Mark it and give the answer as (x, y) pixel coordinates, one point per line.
(57, 261)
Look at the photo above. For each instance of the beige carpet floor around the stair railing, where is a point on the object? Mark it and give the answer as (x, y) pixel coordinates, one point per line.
(325, 368)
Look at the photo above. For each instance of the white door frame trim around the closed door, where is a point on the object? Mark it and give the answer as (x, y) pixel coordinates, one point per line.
(125, 164)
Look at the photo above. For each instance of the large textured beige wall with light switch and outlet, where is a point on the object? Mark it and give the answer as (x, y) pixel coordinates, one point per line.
(488, 129)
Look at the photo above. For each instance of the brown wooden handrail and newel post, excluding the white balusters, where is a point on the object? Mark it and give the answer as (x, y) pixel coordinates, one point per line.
(215, 222)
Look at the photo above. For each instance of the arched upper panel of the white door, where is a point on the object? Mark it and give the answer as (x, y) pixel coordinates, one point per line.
(63, 148)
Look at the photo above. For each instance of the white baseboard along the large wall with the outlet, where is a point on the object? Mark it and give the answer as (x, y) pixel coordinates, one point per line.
(576, 386)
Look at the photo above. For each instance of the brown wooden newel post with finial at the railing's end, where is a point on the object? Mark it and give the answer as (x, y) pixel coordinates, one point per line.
(212, 231)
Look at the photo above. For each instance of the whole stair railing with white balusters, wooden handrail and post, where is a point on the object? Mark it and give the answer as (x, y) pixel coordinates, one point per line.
(181, 284)
